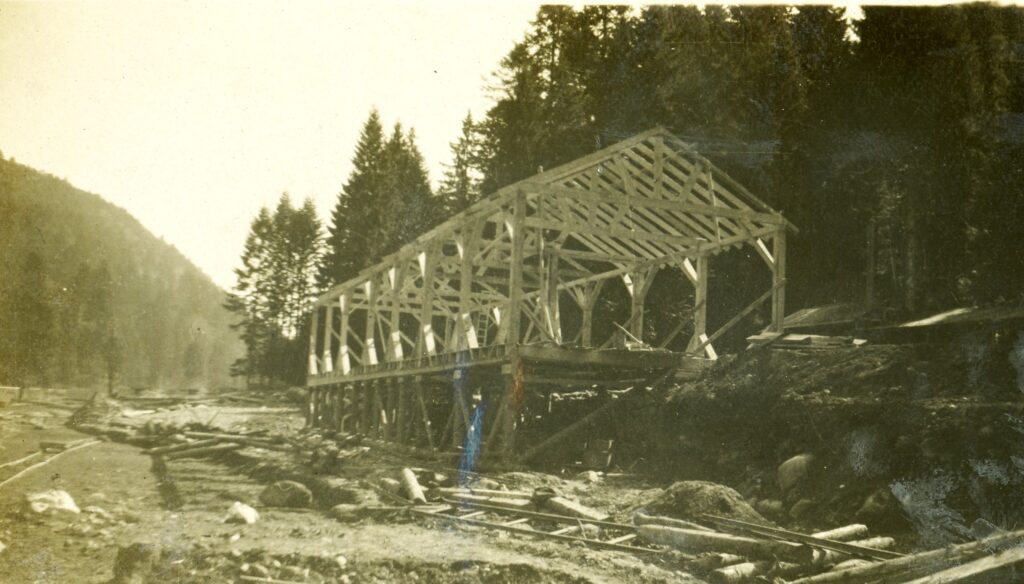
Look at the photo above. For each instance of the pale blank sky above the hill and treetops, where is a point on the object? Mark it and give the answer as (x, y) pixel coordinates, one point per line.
(193, 115)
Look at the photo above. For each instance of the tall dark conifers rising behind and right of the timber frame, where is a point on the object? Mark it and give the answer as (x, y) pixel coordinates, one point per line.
(905, 130)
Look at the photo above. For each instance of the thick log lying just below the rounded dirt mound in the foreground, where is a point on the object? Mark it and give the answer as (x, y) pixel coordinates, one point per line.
(695, 541)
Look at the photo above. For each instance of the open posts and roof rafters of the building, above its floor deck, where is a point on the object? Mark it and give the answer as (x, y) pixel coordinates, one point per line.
(490, 280)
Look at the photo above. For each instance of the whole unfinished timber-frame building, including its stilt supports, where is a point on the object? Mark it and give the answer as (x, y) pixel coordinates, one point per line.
(461, 329)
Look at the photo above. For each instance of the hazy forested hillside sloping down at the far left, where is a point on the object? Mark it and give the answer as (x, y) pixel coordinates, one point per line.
(89, 298)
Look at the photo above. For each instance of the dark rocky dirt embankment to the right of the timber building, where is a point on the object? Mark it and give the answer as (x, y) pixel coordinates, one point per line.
(919, 441)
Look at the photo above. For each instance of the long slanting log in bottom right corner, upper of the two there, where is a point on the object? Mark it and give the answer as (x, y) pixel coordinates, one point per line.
(918, 565)
